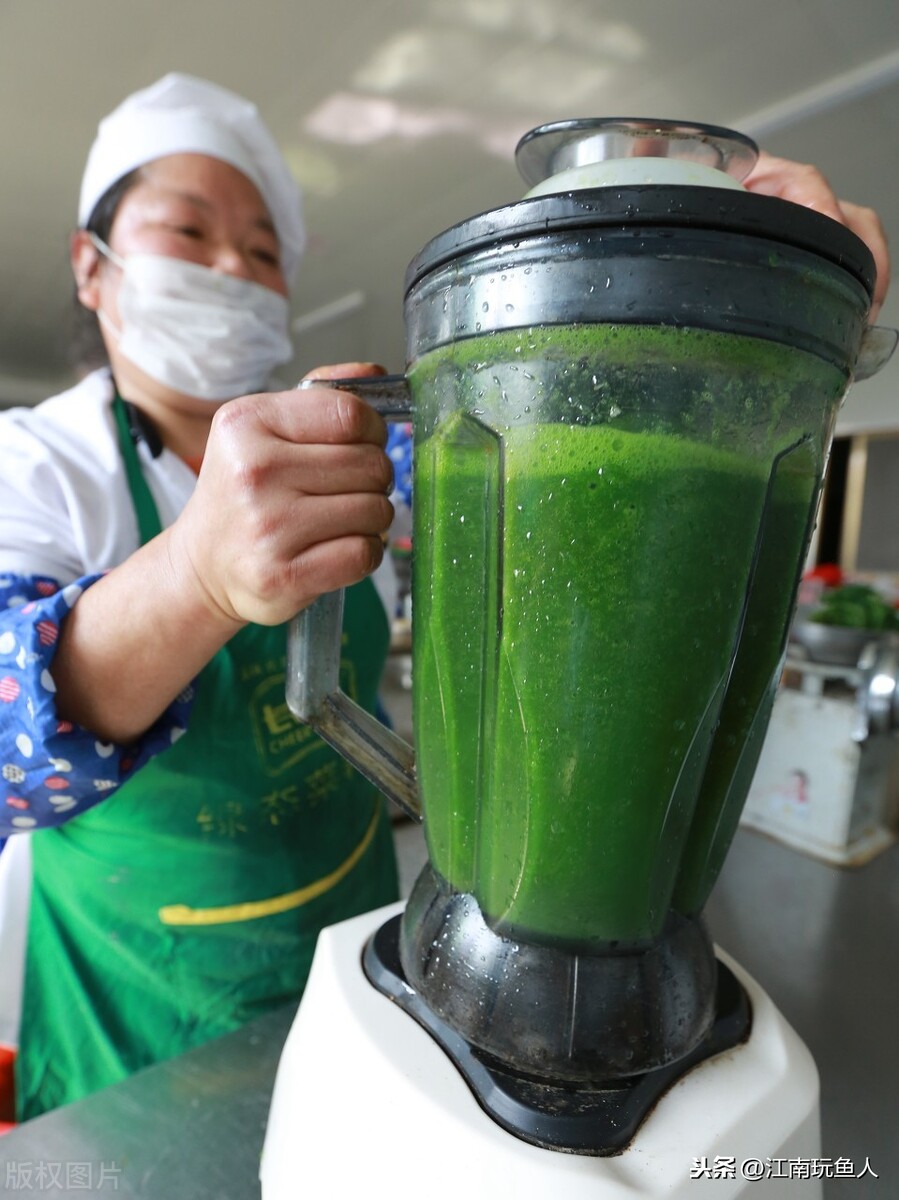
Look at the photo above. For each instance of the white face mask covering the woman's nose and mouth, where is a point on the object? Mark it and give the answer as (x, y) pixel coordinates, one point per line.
(199, 332)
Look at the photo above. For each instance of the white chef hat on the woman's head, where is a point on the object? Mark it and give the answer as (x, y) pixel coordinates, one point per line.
(181, 115)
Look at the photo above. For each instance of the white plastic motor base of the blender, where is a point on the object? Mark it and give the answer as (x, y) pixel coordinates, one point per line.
(365, 1100)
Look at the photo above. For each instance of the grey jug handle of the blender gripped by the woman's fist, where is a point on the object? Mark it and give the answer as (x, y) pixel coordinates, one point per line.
(314, 645)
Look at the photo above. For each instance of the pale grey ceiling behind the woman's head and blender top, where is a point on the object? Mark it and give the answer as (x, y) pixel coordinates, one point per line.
(400, 118)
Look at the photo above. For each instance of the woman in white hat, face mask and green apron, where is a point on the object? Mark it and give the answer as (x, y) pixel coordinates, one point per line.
(146, 609)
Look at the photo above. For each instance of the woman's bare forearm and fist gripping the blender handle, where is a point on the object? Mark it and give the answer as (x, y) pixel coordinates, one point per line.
(291, 503)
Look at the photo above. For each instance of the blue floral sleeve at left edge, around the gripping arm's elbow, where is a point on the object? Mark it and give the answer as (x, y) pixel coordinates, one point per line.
(50, 770)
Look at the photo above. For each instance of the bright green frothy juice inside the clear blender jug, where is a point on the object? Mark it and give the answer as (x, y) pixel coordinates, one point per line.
(585, 543)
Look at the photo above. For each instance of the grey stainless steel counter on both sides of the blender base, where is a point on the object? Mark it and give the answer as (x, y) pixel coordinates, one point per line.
(820, 940)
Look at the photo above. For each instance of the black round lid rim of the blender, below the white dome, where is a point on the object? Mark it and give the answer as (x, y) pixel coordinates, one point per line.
(642, 209)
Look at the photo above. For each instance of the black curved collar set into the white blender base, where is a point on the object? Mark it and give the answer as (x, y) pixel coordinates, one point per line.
(572, 1119)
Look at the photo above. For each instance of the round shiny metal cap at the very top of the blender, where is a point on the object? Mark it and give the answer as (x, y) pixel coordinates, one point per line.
(560, 146)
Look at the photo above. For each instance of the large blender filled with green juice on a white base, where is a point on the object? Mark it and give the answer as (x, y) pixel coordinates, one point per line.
(624, 391)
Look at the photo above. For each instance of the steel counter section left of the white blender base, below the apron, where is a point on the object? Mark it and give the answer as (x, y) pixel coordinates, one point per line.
(190, 1129)
